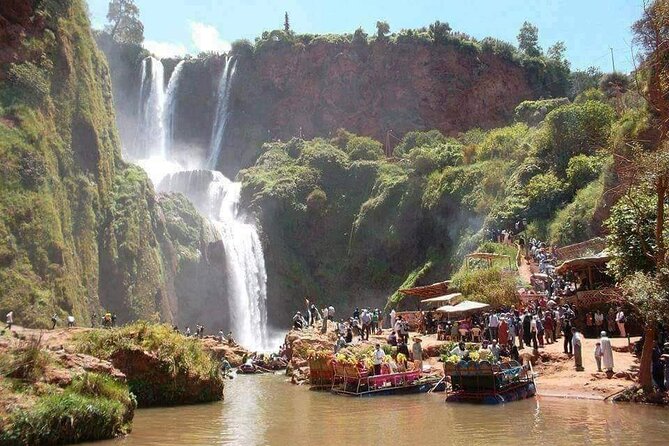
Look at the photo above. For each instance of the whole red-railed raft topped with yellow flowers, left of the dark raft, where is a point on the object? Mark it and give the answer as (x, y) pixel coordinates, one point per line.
(354, 377)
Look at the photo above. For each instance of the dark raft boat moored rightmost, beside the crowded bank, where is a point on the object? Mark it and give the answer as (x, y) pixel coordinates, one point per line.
(487, 383)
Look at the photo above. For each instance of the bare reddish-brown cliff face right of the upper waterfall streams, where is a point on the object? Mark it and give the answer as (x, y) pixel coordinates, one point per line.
(313, 90)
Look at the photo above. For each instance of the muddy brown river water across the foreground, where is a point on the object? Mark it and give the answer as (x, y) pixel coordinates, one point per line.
(265, 410)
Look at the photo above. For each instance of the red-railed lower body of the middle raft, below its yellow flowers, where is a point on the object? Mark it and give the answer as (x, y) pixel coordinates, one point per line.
(356, 381)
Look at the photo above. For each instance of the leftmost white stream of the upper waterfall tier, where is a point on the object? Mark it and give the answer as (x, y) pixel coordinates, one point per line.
(152, 105)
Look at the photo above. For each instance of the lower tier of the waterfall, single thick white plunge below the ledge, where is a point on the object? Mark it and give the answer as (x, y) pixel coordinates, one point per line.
(217, 198)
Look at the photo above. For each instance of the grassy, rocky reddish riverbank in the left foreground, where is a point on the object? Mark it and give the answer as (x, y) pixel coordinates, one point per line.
(66, 386)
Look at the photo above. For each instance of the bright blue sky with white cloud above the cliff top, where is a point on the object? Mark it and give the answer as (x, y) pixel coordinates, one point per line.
(588, 27)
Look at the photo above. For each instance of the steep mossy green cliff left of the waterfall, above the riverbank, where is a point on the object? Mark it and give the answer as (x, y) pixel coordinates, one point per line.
(80, 229)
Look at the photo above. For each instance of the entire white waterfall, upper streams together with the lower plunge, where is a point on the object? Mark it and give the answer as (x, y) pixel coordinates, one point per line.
(215, 196)
